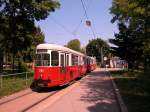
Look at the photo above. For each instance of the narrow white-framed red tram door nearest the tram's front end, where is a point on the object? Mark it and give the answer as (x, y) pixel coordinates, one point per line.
(62, 66)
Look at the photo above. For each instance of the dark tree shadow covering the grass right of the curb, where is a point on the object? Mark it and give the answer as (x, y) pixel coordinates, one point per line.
(134, 94)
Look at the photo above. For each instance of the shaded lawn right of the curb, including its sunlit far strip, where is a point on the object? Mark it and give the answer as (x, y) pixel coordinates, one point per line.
(134, 90)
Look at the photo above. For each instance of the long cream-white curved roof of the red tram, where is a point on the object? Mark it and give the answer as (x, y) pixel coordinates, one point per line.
(57, 47)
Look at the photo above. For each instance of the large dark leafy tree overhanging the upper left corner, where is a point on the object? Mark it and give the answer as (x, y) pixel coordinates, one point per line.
(19, 17)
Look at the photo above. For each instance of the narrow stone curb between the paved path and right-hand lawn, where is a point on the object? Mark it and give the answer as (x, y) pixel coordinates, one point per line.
(120, 101)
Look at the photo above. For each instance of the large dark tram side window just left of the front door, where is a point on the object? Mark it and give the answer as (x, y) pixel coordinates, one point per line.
(54, 58)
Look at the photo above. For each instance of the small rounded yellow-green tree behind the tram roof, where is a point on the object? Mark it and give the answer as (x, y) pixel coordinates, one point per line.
(74, 44)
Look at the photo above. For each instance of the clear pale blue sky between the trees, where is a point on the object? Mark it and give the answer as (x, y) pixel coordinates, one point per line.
(68, 22)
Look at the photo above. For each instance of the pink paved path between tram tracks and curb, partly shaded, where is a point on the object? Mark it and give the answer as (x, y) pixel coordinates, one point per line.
(94, 93)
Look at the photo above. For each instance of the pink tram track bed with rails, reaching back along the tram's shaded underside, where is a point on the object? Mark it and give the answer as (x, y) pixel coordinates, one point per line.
(30, 99)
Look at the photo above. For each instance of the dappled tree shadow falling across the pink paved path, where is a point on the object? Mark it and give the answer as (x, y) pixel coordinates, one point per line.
(99, 91)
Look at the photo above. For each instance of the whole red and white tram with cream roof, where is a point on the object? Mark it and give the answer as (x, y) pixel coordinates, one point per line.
(56, 65)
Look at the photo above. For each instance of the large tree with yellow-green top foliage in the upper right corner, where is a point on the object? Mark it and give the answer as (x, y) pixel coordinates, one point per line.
(135, 16)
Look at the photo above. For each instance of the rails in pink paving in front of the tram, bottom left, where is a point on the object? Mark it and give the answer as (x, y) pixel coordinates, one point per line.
(30, 100)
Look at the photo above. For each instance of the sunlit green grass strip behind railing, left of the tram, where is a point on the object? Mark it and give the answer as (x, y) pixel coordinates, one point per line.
(12, 84)
